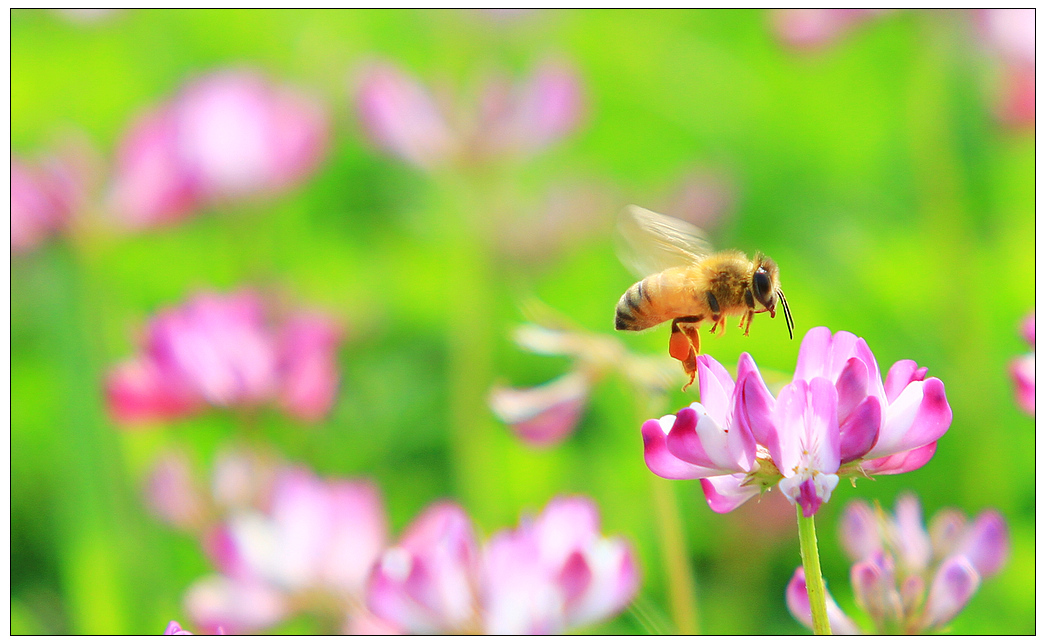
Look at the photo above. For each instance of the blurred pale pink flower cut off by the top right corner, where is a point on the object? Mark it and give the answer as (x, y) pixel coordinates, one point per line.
(1010, 37)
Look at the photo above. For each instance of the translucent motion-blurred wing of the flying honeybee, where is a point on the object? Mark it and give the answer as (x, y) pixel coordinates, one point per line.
(651, 243)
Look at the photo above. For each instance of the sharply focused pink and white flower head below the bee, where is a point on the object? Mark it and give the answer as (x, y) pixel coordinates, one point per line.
(835, 419)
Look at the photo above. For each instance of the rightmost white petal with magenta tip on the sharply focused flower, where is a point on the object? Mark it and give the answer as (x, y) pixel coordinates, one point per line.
(919, 417)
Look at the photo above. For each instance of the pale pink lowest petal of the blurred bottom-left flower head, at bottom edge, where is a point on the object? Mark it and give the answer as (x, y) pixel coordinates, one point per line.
(236, 607)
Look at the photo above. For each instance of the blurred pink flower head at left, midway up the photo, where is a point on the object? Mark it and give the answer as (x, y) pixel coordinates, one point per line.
(222, 351)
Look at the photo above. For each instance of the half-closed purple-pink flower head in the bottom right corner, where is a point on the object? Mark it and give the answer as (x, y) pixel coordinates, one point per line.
(911, 581)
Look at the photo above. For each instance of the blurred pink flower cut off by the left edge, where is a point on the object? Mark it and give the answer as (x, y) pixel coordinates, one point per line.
(47, 196)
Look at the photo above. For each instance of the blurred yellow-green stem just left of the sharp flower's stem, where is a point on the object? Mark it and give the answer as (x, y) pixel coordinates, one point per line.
(683, 599)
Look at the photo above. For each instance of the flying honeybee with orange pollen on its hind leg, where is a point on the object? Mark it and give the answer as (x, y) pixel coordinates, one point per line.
(688, 283)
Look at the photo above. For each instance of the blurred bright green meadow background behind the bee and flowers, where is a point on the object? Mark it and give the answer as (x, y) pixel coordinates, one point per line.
(884, 160)
